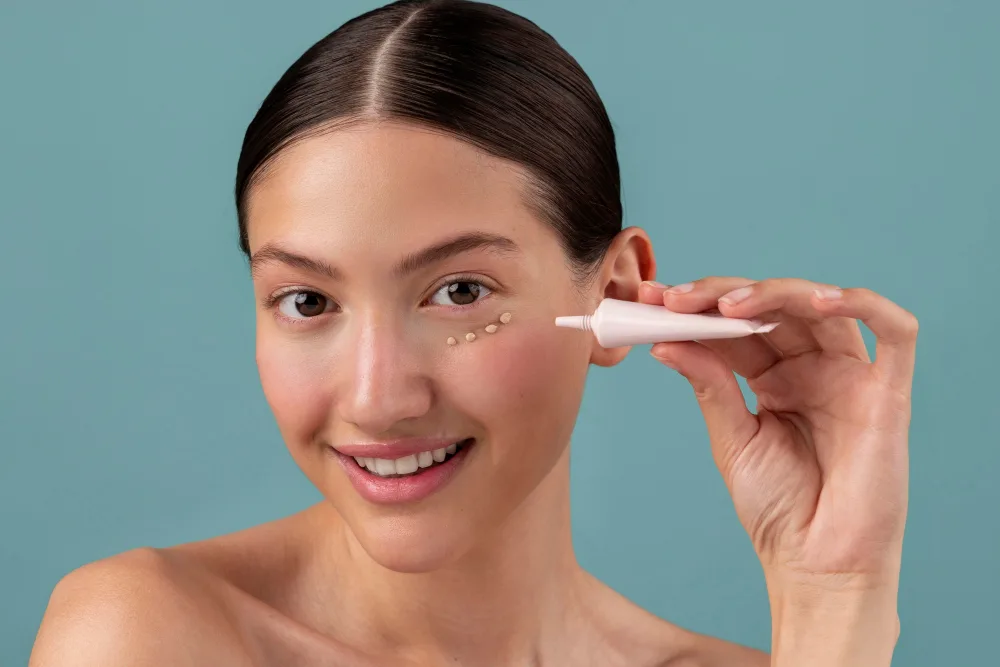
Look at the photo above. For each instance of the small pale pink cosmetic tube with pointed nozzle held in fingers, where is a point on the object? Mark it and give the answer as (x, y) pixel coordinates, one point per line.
(622, 323)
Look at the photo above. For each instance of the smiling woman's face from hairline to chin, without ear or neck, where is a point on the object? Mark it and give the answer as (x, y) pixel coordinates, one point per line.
(371, 247)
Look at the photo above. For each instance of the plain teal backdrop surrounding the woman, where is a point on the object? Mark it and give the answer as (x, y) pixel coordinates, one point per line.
(854, 142)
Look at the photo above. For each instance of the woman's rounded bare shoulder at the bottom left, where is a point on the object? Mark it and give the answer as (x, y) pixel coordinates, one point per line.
(137, 608)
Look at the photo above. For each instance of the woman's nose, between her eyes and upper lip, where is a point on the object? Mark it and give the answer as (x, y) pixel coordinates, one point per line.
(385, 385)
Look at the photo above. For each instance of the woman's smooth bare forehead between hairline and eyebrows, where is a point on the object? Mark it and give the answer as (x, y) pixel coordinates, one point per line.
(385, 181)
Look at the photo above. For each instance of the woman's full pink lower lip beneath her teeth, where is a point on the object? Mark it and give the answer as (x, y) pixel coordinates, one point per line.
(397, 490)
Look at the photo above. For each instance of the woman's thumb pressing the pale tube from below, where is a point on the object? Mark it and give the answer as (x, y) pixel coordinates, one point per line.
(730, 424)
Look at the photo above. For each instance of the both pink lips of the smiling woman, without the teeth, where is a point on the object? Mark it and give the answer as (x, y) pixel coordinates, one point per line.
(398, 490)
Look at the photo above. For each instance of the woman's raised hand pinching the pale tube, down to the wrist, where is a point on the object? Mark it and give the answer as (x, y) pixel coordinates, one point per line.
(819, 475)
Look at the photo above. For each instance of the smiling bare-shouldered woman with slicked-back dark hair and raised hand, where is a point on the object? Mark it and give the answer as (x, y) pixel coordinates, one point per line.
(419, 196)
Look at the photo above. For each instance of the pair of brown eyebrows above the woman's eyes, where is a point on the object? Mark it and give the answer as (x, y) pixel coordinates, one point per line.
(272, 253)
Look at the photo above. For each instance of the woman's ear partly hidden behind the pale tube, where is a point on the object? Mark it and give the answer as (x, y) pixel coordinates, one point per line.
(628, 262)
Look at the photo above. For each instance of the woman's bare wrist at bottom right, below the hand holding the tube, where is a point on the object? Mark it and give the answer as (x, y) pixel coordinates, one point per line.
(833, 621)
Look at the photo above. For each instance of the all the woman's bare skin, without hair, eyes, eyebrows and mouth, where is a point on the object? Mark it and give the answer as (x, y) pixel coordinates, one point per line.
(483, 572)
